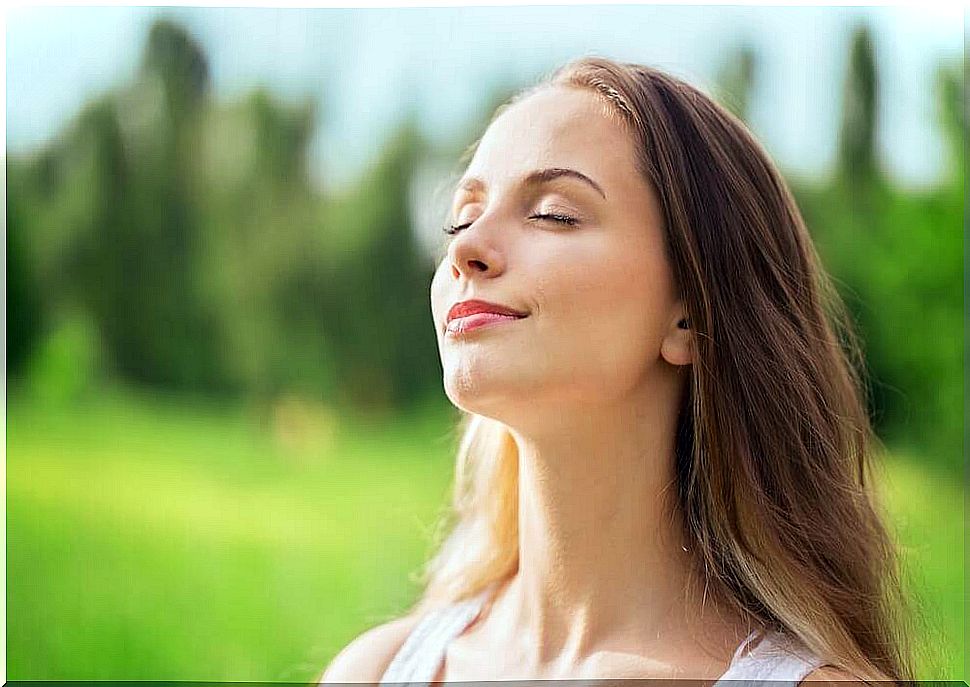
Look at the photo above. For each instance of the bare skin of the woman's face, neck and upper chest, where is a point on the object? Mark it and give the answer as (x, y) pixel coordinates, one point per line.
(588, 384)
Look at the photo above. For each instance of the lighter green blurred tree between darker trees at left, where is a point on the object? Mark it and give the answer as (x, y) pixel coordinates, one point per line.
(266, 268)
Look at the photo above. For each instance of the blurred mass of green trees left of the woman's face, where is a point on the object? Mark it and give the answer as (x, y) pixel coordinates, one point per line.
(188, 233)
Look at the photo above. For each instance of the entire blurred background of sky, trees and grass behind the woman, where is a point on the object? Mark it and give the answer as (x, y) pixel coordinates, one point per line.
(227, 438)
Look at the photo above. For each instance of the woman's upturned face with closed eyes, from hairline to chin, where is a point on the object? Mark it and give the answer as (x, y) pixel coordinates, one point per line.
(596, 289)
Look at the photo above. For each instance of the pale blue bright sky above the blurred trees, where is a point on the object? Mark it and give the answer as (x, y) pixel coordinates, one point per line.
(365, 66)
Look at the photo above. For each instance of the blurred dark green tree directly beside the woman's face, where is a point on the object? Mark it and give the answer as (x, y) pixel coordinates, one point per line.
(384, 335)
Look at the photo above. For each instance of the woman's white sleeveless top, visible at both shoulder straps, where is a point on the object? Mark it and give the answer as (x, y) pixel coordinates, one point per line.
(777, 657)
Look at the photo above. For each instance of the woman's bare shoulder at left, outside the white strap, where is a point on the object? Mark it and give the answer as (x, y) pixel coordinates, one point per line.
(366, 658)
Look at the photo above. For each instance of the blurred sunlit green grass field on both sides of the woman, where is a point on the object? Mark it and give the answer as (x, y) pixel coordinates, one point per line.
(164, 540)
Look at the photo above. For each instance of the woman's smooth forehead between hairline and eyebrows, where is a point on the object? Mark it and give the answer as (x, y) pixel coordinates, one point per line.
(555, 127)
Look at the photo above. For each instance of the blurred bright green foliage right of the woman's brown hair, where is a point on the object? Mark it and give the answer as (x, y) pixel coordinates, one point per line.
(897, 256)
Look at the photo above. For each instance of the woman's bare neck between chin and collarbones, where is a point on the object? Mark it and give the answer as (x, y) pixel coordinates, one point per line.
(601, 546)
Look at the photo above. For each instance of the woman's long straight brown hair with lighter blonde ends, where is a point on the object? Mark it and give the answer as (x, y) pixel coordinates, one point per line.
(774, 447)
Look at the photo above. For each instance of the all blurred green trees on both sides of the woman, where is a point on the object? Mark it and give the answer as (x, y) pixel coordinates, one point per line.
(184, 235)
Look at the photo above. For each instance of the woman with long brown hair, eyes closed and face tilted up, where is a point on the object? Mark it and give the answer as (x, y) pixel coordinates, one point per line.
(665, 466)
